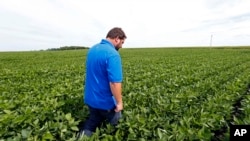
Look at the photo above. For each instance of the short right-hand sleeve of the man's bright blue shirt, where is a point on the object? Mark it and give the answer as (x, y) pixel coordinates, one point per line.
(114, 69)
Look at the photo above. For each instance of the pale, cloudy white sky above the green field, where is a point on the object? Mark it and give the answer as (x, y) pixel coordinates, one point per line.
(28, 25)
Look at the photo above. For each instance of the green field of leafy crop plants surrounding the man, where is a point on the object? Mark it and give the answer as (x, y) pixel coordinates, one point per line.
(169, 94)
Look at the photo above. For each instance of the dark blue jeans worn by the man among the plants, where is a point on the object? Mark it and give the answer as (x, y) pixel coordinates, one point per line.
(97, 116)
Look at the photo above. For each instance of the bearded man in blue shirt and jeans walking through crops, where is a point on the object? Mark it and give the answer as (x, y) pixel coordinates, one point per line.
(103, 84)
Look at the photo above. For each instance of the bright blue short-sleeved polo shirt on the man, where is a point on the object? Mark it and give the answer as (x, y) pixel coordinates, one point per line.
(103, 65)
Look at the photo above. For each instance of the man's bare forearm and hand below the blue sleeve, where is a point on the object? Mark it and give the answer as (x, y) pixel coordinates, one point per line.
(116, 89)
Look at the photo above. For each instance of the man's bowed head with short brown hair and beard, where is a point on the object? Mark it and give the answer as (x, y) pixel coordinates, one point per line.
(117, 37)
